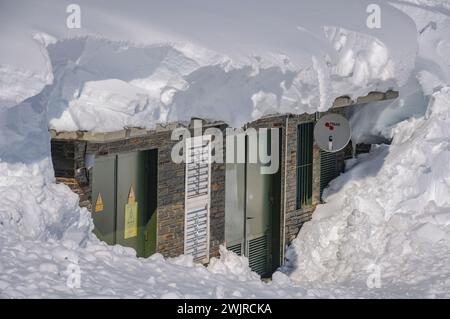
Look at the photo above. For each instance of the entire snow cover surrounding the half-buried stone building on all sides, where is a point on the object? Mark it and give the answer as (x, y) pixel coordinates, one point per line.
(235, 61)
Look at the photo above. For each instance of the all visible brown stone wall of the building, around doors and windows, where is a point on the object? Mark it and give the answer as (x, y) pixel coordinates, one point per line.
(69, 162)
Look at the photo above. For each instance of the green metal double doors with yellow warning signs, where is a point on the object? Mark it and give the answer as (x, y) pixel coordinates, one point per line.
(124, 200)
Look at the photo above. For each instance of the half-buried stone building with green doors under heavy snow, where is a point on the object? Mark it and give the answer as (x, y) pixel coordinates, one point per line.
(139, 197)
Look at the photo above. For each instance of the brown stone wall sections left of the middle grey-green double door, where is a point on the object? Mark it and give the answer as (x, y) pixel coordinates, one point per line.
(69, 164)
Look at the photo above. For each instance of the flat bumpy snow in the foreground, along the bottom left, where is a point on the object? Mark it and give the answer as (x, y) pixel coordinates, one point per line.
(36, 269)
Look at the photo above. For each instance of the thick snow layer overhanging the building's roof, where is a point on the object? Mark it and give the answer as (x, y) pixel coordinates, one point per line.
(153, 62)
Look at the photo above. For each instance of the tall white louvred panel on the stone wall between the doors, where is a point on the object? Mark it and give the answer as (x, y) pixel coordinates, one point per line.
(196, 237)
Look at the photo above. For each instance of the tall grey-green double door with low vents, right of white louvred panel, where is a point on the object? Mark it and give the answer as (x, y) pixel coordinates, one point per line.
(252, 210)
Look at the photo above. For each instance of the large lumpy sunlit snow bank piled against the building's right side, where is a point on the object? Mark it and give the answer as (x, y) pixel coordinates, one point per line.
(391, 210)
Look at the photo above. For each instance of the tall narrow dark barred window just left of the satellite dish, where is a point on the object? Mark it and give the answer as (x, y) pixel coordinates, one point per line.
(304, 164)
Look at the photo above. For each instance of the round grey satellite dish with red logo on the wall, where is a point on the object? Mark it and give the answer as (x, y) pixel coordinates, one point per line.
(332, 132)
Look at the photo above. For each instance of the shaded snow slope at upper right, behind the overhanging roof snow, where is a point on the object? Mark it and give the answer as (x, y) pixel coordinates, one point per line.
(375, 123)
